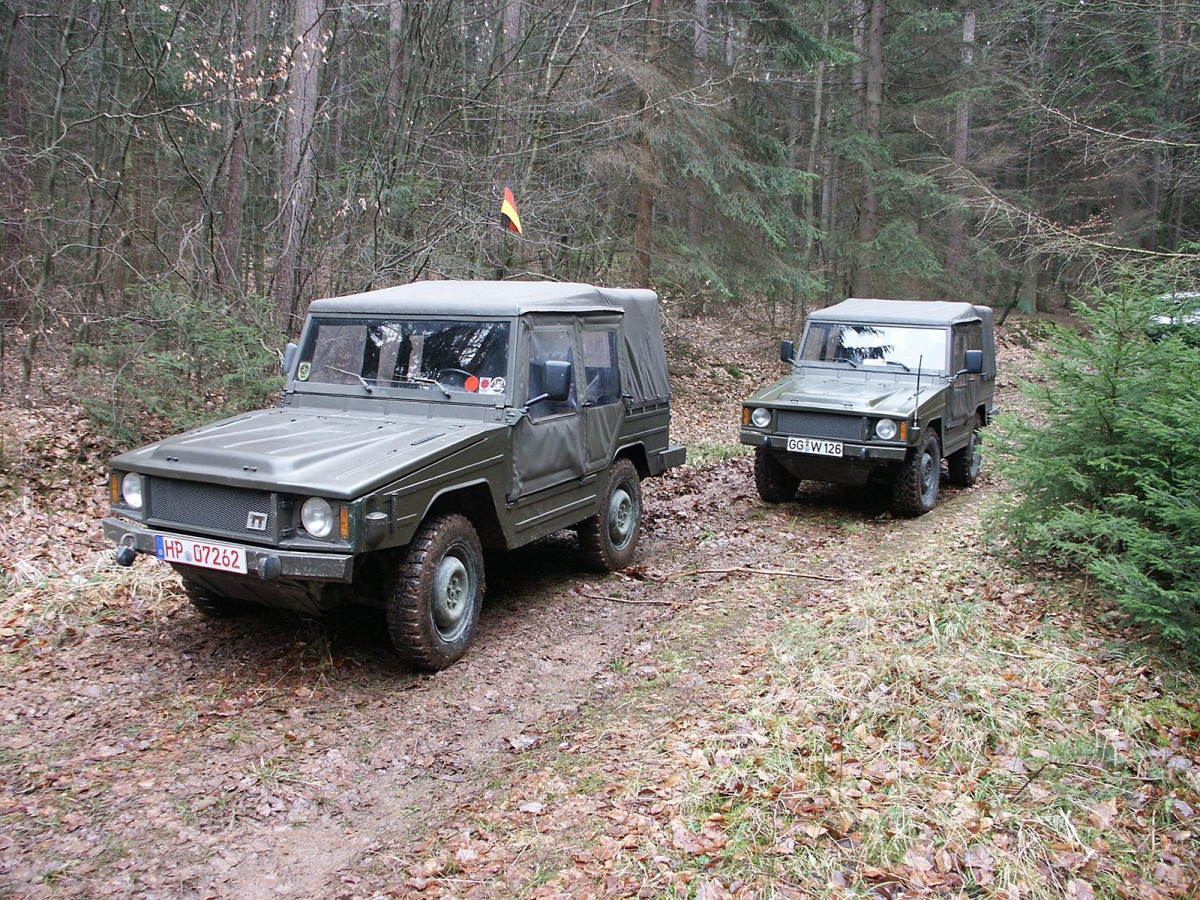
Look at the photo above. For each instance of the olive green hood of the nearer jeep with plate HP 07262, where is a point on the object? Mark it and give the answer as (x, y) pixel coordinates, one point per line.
(338, 455)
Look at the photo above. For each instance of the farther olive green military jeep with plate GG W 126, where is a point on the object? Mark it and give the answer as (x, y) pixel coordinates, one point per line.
(880, 393)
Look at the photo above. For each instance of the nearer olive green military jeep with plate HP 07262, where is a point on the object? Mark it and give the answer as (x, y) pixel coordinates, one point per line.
(418, 427)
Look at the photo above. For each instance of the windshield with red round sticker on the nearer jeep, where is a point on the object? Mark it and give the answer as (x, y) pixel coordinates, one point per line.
(433, 355)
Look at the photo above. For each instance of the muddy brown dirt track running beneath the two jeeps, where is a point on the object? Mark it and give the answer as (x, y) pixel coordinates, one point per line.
(153, 754)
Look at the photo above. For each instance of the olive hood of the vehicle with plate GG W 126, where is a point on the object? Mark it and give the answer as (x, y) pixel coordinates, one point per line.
(868, 394)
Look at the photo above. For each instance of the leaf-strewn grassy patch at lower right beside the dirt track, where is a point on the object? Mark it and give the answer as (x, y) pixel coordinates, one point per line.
(941, 731)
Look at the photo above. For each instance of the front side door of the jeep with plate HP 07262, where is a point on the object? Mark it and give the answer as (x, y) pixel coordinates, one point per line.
(548, 442)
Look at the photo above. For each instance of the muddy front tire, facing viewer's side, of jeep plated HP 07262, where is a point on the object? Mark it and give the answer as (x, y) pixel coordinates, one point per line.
(434, 607)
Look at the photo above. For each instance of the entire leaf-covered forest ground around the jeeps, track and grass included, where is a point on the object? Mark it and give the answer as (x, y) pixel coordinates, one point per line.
(805, 700)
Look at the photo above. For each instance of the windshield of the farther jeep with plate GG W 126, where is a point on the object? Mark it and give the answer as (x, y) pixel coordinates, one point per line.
(897, 347)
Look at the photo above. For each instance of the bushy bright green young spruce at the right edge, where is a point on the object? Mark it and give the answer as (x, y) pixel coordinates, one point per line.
(1107, 471)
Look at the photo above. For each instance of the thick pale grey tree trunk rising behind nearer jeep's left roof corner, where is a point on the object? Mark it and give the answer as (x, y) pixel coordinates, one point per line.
(292, 272)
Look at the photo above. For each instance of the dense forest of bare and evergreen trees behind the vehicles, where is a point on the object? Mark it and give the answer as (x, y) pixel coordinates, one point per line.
(239, 159)
